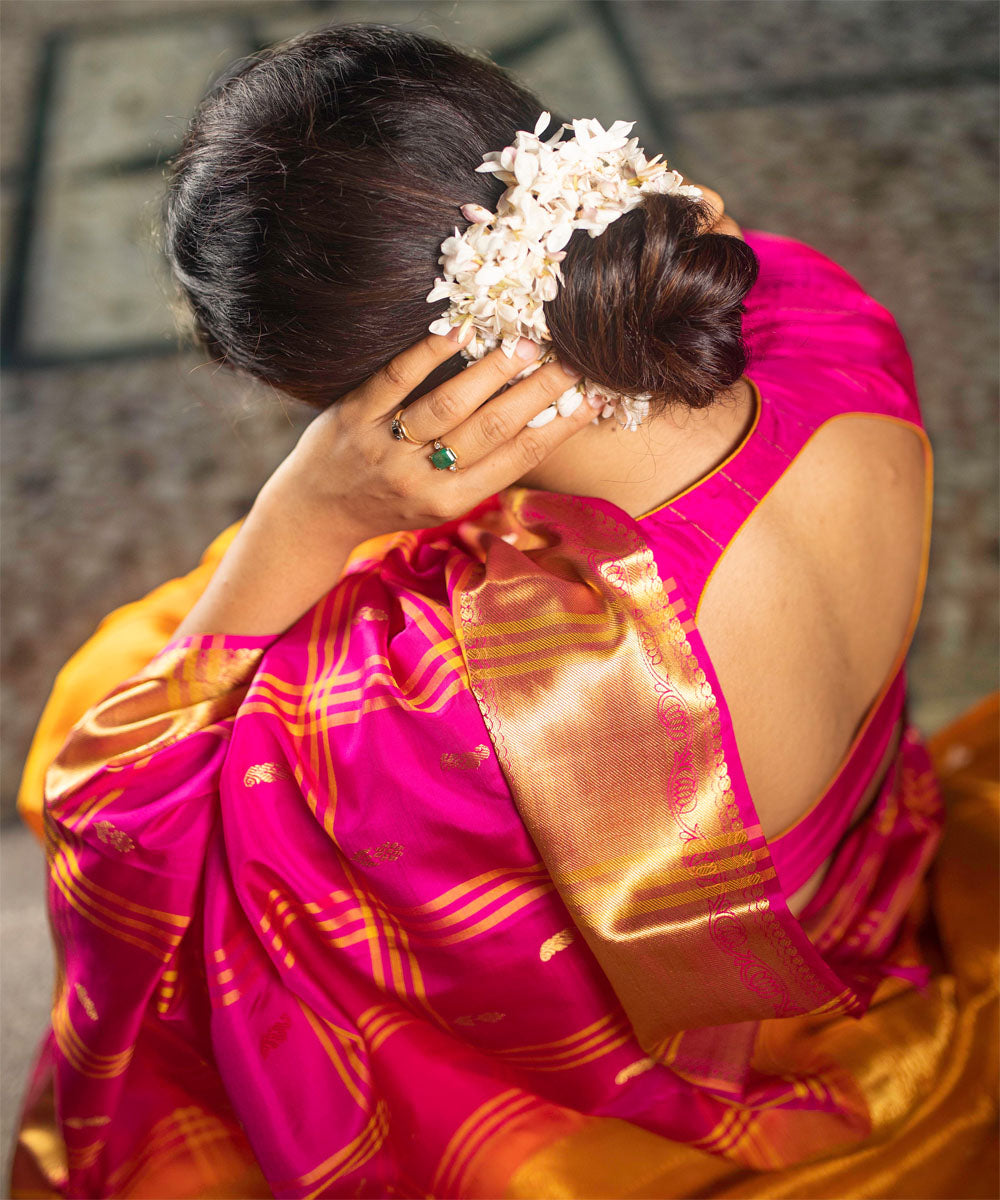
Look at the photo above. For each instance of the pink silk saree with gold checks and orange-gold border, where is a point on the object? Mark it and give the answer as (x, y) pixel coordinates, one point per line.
(452, 891)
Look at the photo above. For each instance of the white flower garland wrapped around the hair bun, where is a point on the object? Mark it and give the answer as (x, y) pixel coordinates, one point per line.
(500, 273)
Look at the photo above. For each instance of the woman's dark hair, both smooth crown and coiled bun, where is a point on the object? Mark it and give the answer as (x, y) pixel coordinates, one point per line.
(306, 212)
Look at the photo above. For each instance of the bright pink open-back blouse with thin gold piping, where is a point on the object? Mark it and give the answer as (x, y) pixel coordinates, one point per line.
(801, 383)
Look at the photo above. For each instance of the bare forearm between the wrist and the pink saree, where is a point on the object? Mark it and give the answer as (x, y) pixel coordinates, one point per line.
(289, 554)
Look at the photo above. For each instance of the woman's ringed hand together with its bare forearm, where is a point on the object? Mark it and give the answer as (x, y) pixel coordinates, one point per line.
(349, 479)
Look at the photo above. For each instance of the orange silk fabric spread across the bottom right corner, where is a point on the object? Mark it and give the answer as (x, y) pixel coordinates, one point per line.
(925, 1064)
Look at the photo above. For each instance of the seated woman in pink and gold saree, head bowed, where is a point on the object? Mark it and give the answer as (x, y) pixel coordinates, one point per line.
(556, 839)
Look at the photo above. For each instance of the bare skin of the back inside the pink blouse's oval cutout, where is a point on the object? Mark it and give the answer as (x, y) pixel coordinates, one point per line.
(815, 601)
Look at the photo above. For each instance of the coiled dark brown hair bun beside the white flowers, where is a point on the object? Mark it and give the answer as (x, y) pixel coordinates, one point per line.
(655, 305)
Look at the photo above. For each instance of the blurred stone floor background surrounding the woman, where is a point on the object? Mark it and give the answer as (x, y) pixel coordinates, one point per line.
(866, 128)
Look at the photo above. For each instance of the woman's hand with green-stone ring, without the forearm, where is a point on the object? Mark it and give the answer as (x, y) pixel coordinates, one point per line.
(349, 463)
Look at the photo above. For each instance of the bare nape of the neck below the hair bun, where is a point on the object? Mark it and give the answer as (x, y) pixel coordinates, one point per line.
(639, 471)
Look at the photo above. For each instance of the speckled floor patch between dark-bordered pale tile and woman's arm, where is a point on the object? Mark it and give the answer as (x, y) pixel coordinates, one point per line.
(116, 478)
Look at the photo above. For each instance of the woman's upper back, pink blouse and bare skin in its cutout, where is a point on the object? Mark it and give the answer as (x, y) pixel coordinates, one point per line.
(803, 556)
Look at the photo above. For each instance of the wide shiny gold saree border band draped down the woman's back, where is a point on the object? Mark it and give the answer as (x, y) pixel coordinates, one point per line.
(642, 832)
